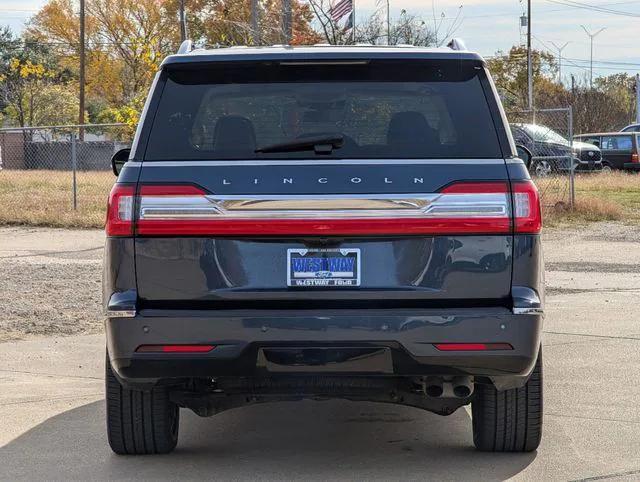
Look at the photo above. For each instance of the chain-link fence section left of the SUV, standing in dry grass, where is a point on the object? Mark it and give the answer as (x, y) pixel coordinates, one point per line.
(58, 175)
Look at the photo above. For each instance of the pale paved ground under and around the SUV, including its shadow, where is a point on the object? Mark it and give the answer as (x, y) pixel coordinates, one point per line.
(52, 408)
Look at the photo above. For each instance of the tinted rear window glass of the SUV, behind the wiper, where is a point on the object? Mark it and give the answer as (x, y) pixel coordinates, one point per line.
(415, 109)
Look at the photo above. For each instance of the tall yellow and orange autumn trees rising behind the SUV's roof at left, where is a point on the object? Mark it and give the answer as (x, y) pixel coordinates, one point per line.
(128, 39)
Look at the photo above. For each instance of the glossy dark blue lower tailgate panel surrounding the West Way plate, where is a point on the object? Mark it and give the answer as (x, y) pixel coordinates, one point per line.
(440, 267)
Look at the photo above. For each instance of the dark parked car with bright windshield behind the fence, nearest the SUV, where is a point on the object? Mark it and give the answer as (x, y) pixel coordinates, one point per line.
(553, 153)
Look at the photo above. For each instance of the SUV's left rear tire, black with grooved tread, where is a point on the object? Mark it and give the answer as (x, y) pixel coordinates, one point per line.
(140, 422)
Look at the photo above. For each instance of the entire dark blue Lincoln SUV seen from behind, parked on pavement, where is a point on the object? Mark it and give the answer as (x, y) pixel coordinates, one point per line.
(323, 222)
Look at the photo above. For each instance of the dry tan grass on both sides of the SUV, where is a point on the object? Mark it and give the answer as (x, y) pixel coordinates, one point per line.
(45, 198)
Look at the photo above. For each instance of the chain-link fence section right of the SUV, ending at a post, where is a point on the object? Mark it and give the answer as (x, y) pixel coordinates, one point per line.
(548, 134)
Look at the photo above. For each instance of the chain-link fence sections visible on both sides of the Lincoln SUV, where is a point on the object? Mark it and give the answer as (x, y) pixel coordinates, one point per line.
(61, 175)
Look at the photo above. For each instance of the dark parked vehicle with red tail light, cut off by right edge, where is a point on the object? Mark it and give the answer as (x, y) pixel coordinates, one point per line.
(619, 150)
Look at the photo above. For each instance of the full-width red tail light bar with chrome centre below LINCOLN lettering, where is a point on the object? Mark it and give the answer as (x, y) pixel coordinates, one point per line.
(460, 208)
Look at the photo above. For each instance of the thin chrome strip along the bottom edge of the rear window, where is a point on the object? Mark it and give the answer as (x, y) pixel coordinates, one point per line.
(315, 162)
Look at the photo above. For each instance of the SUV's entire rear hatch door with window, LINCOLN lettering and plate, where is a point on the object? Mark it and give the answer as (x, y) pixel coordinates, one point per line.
(324, 184)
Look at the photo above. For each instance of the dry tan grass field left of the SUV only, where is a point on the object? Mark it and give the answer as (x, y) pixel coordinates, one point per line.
(45, 198)
